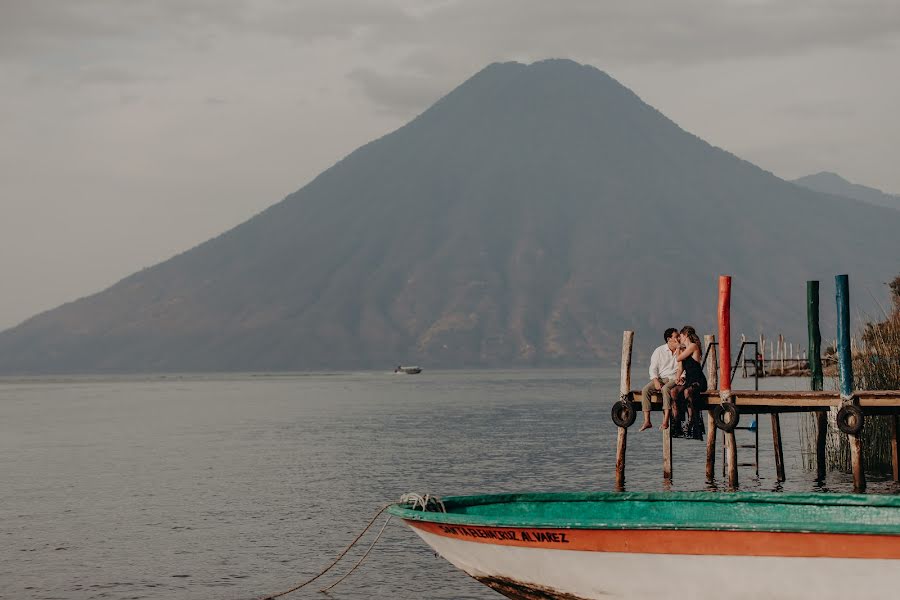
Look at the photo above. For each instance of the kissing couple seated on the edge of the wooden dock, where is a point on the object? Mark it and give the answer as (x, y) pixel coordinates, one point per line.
(675, 372)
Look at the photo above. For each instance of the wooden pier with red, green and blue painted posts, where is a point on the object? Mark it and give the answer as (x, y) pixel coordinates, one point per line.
(724, 406)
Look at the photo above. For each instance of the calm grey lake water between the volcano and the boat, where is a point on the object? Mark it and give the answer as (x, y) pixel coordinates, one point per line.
(241, 486)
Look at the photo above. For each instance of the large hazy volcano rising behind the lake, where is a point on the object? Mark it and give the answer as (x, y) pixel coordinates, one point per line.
(528, 217)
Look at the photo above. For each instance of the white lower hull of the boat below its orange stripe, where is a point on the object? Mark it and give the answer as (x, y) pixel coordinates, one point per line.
(548, 573)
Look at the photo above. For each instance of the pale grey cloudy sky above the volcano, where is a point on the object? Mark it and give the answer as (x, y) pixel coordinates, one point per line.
(131, 131)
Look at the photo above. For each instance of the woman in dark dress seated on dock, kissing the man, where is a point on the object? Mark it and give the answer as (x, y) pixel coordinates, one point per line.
(691, 382)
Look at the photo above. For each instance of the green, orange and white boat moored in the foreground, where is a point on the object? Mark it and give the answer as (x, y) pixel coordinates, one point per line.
(592, 546)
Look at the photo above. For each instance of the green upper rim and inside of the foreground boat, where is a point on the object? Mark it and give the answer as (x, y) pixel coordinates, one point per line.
(739, 511)
